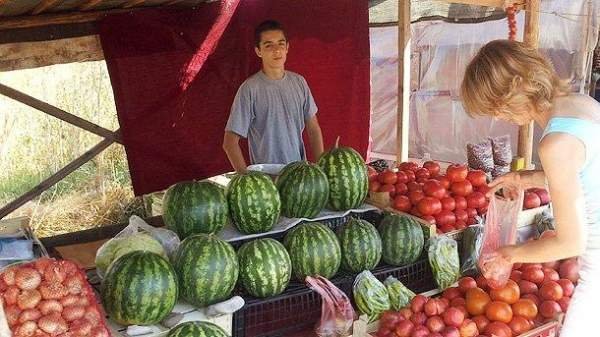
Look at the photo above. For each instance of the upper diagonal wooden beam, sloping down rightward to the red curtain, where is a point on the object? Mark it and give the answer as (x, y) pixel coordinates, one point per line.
(59, 113)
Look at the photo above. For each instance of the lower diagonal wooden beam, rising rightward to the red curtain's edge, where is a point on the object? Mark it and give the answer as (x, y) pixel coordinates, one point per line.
(56, 177)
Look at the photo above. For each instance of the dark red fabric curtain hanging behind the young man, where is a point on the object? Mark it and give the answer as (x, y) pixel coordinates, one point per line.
(172, 124)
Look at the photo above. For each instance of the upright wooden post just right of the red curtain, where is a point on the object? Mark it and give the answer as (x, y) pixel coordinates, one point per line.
(403, 113)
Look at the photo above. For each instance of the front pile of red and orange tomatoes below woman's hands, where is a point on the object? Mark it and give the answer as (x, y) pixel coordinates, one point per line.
(535, 294)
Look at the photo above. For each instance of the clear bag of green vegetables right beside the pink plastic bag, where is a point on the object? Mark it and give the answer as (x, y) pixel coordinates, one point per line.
(370, 295)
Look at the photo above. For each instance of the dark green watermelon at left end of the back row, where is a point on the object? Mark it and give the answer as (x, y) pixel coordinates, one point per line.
(195, 207)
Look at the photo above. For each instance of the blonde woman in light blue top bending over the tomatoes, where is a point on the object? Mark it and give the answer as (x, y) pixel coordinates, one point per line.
(511, 82)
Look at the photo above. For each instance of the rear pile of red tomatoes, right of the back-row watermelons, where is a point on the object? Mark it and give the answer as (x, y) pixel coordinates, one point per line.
(451, 200)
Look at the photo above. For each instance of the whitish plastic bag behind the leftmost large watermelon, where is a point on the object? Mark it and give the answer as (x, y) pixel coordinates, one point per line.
(138, 235)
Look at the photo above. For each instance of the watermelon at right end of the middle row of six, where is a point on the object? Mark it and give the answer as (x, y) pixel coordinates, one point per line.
(402, 239)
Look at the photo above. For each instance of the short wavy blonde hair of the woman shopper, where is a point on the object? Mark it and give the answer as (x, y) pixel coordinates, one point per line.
(506, 77)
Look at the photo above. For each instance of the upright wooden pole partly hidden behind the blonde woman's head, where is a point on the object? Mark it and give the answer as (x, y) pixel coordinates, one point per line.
(531, 38)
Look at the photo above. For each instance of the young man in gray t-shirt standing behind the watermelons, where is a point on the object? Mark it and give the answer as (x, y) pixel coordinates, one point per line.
(272, 108)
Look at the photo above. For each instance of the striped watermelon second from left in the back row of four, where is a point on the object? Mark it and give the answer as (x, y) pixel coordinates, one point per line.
(253, 202)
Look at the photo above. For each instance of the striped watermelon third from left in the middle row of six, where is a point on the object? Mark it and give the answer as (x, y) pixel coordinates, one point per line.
(265, 267)
